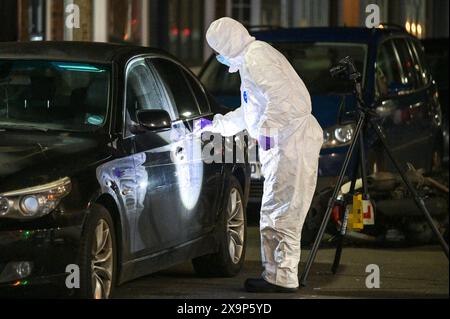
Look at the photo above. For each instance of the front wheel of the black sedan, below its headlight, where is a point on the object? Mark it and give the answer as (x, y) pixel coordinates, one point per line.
(98, 256)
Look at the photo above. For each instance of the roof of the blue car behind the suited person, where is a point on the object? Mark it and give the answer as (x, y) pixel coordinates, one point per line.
(327, 34)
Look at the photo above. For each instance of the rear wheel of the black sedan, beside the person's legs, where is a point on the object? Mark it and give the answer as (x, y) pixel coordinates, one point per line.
(232, 237)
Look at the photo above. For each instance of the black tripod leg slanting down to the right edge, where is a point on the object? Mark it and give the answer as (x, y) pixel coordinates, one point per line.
(419, 201)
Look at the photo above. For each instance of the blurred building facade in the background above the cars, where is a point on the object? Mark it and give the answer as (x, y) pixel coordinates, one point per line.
(179, 26)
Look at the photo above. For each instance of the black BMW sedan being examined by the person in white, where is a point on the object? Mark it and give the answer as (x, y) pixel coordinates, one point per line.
(98, 181)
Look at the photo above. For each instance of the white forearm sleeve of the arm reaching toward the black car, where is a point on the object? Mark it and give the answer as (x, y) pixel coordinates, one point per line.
(229, 124)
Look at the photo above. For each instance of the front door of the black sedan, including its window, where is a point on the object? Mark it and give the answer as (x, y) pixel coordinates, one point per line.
(159, 213)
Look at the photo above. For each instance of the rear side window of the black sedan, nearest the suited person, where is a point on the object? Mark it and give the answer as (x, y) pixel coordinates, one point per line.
(177, 87)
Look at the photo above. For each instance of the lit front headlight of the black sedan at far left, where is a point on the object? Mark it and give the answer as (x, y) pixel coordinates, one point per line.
(35, 201)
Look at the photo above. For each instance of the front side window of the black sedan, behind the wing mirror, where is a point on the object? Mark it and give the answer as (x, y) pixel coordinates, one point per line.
(143, 92)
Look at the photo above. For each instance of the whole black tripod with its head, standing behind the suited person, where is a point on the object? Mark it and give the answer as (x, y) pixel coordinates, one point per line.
(346, 69)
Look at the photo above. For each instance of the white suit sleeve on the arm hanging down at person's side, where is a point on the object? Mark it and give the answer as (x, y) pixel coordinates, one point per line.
(265, 71)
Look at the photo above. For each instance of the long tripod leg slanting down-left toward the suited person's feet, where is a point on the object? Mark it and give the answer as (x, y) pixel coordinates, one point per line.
(313, 253)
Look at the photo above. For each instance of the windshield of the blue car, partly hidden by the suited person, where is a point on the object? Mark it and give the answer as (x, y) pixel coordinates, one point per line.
(312, 61)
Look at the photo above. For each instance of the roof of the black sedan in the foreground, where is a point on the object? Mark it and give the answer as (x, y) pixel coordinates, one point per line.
(72, 51)
